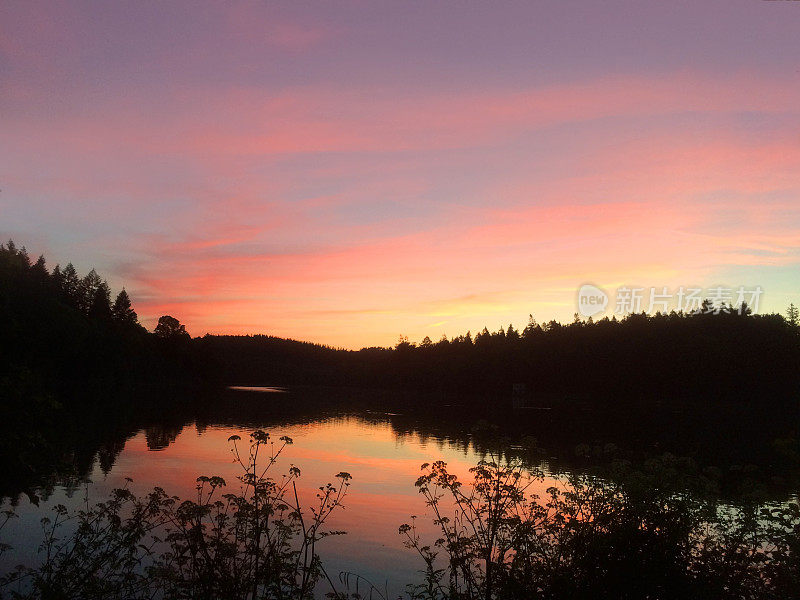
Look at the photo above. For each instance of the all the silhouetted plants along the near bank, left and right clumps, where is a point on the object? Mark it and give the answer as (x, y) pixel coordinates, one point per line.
(655, 532)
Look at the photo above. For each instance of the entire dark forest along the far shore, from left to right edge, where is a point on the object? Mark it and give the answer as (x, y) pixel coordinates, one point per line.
(63, 332)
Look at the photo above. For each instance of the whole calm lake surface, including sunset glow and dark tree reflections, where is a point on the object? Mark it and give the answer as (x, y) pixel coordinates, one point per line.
(381, 448)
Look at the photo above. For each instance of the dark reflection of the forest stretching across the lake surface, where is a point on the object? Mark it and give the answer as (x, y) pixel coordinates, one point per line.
(69, 453)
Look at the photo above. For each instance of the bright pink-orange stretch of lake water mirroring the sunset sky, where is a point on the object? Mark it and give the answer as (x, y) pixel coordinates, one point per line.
(383, 462)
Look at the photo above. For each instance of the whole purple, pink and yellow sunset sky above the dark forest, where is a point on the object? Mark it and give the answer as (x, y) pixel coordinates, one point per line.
(349, 172)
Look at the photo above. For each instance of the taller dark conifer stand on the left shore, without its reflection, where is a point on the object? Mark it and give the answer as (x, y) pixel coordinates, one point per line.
(63, 329)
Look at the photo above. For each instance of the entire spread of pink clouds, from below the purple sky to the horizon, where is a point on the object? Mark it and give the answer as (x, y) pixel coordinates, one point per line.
(264, 194)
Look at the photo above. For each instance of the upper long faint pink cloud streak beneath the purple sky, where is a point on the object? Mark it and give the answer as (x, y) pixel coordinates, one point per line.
(313, 119)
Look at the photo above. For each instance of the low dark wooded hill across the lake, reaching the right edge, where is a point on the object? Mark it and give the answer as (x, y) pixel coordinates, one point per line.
(732, 355)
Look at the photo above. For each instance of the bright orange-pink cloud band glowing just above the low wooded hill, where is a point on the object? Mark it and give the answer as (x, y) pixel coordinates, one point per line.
(503, 263)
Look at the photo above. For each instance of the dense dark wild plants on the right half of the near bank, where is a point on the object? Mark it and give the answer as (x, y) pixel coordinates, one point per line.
(645, 533)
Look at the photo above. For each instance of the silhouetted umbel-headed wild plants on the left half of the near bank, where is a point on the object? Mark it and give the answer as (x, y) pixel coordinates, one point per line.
(254, 542)
